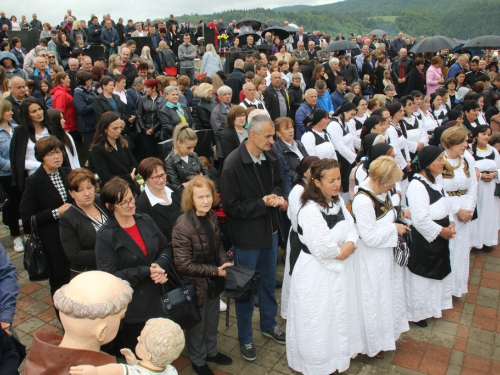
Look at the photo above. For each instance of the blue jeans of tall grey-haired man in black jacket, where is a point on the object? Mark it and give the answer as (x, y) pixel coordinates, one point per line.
(264, 261)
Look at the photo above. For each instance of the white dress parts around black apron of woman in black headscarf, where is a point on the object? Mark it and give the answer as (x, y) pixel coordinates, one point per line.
(426, 298)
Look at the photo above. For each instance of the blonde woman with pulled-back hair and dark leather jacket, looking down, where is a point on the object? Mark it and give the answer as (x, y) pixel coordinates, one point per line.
(182, 162)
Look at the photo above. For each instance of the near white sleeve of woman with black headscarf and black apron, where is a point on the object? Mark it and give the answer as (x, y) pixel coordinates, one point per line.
(418, 203)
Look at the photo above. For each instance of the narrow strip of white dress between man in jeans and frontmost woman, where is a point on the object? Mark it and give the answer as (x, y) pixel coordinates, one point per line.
(293, 209)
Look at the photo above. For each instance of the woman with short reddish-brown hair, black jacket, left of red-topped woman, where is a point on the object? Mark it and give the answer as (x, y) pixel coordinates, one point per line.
(79, 225)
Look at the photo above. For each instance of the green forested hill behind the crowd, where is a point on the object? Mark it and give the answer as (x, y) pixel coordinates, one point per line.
(461, 19)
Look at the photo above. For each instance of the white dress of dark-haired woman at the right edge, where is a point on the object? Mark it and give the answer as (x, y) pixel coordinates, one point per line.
(485, 227)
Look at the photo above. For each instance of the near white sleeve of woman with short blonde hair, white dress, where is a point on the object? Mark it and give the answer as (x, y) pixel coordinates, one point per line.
(371, 234)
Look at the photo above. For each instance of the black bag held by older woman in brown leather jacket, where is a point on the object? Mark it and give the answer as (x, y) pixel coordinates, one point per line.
(241, 283)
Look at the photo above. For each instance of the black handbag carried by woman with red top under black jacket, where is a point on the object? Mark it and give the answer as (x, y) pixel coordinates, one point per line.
(180, 304)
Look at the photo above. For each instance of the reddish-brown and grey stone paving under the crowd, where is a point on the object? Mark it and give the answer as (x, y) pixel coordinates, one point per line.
(465, 341)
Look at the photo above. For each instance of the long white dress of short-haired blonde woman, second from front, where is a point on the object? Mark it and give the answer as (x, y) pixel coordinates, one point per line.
(379, 279)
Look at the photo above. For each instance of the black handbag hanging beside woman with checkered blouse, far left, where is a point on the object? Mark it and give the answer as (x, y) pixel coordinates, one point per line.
(35, 261)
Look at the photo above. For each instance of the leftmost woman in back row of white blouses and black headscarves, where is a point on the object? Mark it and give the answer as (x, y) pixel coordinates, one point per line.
(316, 140)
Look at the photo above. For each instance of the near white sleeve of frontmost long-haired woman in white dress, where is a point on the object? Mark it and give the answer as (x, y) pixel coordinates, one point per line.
(318, 237)
